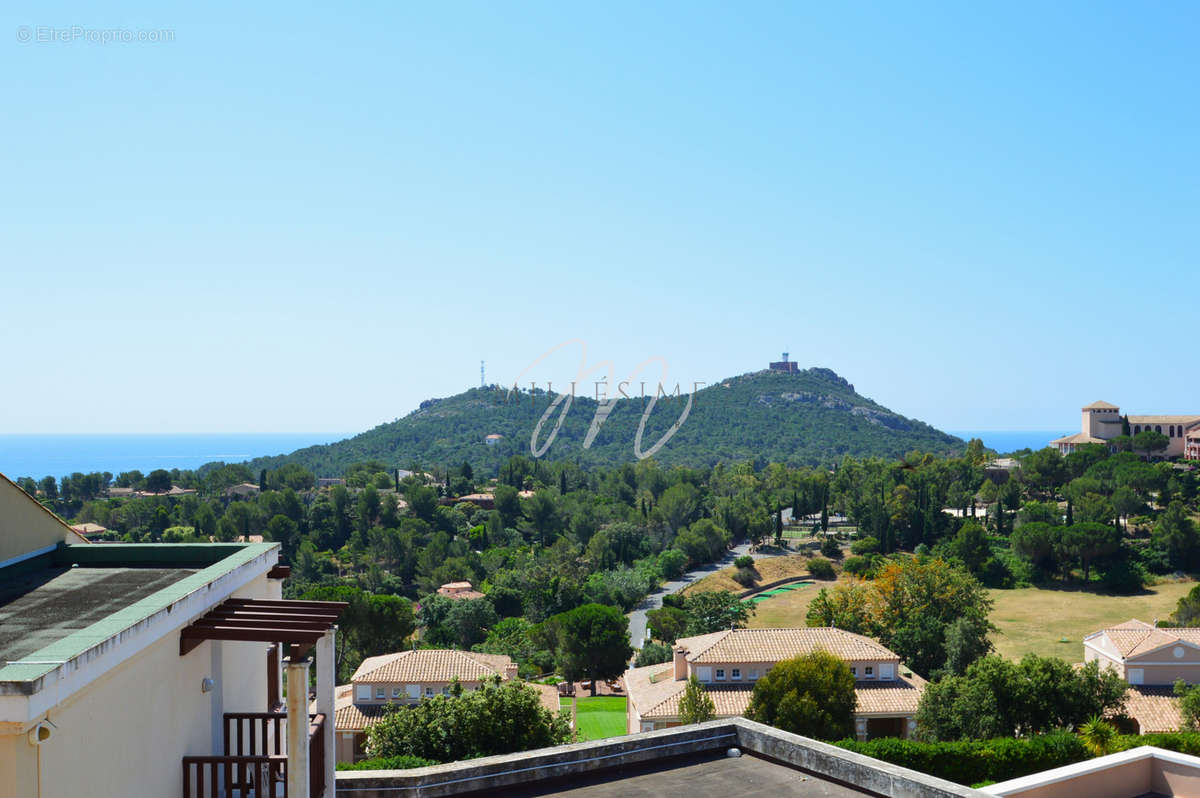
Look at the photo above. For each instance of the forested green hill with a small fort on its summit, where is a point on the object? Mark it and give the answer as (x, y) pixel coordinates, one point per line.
(806, 418)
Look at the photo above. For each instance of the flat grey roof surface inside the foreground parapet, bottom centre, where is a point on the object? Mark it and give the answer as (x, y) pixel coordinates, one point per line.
(709, 776)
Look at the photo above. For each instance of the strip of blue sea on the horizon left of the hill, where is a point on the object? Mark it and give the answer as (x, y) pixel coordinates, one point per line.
(58, 455)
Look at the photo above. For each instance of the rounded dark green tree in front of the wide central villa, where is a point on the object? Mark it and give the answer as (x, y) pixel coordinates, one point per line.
(811, 695)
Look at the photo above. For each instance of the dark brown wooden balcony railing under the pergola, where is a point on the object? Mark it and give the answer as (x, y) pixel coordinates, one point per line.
(255, 764)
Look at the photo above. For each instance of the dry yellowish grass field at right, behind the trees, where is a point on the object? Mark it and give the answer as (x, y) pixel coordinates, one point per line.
(1034, 621)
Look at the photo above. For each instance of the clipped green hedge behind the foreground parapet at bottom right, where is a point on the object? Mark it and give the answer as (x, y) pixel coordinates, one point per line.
(971, 763)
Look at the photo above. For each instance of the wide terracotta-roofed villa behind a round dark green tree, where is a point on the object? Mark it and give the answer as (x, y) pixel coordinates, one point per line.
(729, 663)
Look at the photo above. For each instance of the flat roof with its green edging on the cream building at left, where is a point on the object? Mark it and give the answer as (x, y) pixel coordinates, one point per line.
(86, 595)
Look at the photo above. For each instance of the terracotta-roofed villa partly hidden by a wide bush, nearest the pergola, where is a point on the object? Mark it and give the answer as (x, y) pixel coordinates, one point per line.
(409, 677)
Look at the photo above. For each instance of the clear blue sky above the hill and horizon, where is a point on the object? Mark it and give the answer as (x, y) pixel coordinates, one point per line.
(293, 218)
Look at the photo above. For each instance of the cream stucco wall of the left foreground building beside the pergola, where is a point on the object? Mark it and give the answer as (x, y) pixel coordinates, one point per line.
(127, 733)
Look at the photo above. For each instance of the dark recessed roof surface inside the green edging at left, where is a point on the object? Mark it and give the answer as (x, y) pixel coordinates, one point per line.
(43, 607)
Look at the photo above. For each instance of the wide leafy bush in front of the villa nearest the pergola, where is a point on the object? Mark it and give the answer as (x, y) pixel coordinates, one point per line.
(499, 718)
